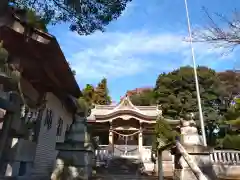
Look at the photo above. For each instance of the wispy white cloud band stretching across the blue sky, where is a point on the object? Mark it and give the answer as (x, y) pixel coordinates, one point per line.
(118, 54)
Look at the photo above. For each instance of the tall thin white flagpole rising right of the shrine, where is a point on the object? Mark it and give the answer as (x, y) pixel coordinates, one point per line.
(196, 77)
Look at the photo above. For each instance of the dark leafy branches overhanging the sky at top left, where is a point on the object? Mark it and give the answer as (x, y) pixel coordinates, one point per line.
(84, 16)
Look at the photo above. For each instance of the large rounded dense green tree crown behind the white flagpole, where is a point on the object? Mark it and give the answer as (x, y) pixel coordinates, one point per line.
(176, 91)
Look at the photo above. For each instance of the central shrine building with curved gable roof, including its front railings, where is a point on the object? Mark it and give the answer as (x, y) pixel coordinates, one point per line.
(124, 131)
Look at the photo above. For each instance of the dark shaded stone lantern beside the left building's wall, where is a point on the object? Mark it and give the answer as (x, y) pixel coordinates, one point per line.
(76, 153)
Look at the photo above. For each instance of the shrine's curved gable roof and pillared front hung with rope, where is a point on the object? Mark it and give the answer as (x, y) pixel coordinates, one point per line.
(125, 126)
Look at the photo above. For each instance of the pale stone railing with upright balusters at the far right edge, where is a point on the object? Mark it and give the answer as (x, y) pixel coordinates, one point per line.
(225, 157)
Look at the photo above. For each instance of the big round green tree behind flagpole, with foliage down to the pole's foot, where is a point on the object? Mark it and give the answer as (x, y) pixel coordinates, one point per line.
(176, 93)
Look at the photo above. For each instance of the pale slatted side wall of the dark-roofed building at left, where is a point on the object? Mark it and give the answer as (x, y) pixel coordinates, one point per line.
(45, 152)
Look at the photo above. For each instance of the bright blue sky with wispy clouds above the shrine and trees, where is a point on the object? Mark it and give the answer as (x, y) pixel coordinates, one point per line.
(144, 42)
